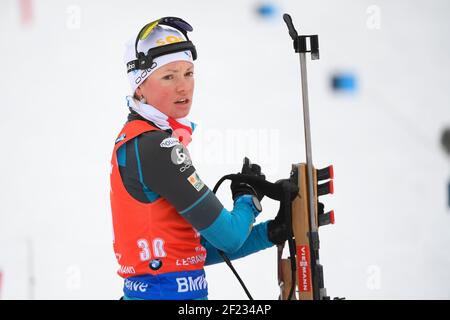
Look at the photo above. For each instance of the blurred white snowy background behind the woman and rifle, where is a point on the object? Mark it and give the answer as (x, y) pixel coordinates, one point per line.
(63, 88)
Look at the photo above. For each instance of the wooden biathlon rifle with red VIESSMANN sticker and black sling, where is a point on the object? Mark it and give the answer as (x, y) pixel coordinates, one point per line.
(301, 272)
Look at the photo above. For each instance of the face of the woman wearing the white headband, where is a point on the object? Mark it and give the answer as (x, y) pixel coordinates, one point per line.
(166, 88)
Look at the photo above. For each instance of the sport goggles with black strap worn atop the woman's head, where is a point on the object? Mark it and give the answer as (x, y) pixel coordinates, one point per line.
(145, 60)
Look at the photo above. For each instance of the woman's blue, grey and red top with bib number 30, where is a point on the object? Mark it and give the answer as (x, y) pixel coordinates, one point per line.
(167, 222)
